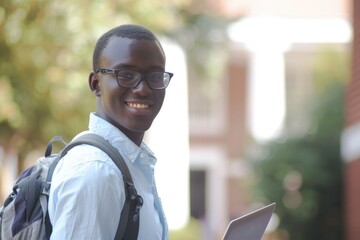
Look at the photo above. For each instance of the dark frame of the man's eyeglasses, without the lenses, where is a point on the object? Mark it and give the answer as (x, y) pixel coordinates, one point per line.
(142, 77)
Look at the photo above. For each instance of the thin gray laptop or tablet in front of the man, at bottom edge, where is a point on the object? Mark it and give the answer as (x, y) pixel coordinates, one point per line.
(250, 226)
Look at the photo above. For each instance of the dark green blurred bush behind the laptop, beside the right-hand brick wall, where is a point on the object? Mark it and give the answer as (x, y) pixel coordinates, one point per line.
(303, 174)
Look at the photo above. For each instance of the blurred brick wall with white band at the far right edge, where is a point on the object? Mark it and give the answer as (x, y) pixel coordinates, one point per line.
(351, 137)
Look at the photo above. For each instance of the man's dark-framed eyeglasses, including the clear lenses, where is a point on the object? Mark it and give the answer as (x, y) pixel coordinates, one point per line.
(130, 79)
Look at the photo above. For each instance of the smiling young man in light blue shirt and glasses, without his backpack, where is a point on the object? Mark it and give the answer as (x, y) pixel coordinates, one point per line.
(87, 192)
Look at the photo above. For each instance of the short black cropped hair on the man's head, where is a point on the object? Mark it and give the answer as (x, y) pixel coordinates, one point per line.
(126, 31)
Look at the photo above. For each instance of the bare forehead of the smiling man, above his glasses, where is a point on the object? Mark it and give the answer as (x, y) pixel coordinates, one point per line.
(138, 53)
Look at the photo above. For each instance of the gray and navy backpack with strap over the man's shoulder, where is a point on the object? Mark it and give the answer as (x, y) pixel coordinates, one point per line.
(24, 214)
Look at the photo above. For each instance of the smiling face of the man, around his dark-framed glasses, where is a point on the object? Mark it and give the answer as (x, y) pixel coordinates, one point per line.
(132, 110)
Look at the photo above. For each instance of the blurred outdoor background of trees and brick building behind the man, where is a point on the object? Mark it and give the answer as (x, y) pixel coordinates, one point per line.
(263, 107)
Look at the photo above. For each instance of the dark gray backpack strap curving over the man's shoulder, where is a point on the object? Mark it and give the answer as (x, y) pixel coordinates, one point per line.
(130, 216)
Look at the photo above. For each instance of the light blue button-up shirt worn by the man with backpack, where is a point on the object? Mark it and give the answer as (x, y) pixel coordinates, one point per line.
(87, 191)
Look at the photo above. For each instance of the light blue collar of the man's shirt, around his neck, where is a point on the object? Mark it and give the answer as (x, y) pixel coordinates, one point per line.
(118, 139)
